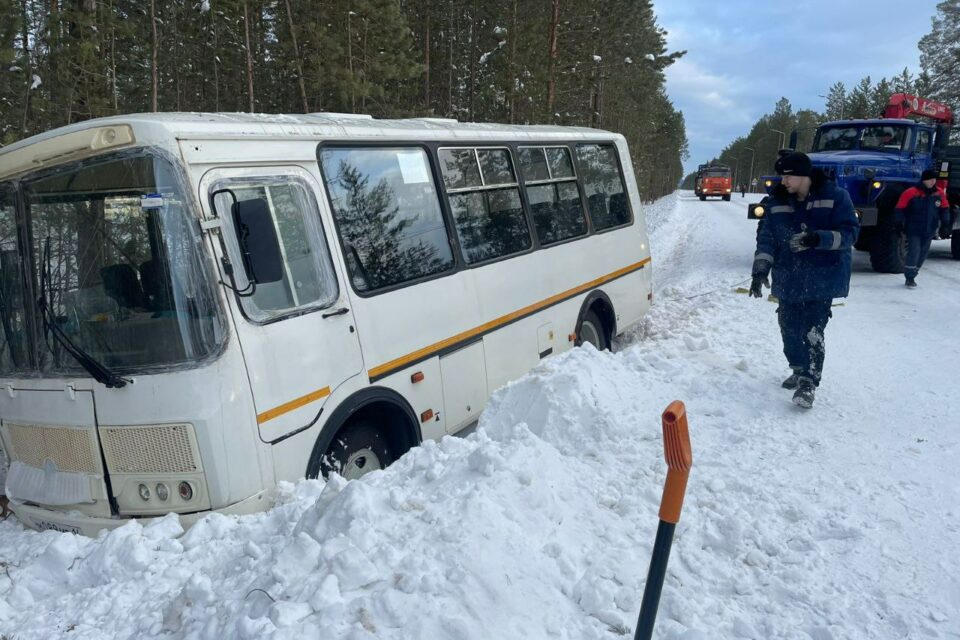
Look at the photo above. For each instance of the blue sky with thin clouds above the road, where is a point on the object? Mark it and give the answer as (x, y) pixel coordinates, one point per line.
(743, 56)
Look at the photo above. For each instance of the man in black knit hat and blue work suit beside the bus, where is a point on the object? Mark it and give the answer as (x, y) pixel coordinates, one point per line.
(806, 241)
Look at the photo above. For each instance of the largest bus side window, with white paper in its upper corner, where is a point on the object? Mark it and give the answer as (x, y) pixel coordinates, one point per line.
(388, 214)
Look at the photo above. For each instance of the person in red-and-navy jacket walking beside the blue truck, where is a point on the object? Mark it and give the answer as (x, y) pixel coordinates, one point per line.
(921, 211)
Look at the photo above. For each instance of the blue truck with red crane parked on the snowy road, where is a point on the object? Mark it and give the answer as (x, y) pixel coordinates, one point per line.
(875, 160)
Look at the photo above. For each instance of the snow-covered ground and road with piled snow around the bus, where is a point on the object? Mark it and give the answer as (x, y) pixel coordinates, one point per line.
(835, 523)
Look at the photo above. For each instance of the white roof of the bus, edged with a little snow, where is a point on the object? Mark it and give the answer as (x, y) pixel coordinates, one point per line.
(147, 128)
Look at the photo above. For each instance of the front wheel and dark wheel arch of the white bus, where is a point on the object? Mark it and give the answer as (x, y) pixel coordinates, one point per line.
(374, 424)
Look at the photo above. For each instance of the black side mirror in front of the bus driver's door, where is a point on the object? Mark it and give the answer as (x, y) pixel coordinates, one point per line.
(257, 237)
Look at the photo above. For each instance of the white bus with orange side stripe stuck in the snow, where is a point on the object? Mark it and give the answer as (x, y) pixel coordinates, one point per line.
(197, 306)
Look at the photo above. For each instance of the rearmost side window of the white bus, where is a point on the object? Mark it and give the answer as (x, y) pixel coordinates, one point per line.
(603, 185)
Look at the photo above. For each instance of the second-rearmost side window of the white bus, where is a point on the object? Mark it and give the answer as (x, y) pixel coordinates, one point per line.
(552, 193)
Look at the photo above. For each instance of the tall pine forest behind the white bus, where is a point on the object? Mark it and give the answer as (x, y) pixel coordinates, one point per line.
(598, 64)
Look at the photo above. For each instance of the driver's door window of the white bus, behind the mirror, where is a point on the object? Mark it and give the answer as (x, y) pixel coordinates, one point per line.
(308, 279)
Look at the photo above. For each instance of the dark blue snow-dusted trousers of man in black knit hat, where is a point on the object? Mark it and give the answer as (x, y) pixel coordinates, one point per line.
(801, 326)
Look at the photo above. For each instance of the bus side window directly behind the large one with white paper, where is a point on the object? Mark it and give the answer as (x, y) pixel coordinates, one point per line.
(486, 206)
